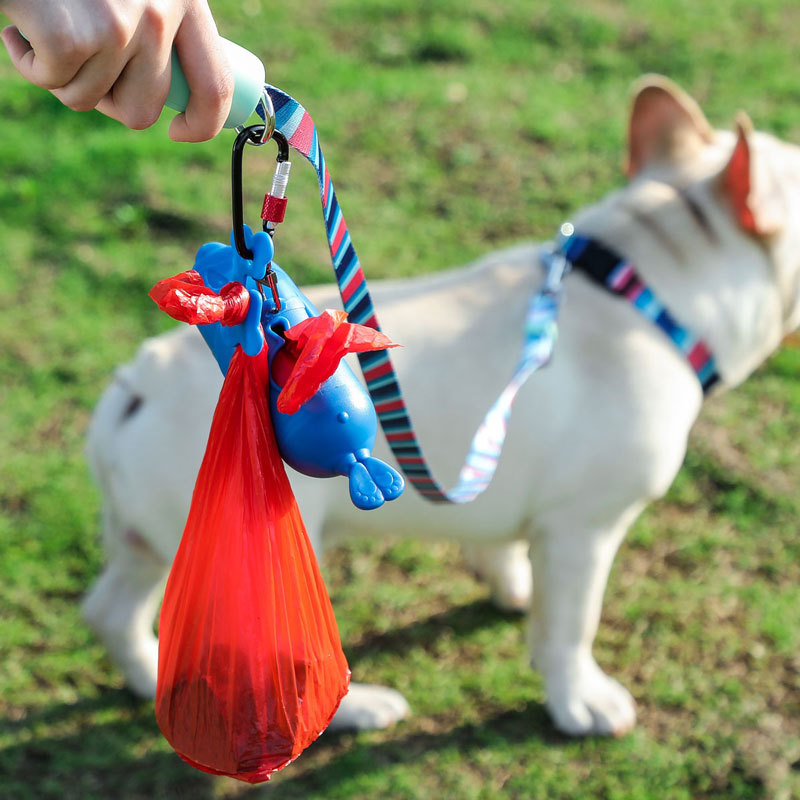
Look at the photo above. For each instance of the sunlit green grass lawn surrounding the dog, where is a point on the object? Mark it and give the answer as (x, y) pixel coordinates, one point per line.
(450, 128)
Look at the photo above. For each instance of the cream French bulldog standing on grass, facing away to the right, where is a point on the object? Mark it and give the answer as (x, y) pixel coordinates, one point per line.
(711, 220)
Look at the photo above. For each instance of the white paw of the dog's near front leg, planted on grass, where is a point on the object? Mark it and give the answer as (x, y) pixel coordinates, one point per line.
(592, 704)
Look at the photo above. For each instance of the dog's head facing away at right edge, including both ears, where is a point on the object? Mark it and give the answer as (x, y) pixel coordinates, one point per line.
(753, 175)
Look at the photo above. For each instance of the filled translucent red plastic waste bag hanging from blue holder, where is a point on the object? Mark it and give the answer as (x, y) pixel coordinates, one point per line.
(250, 667)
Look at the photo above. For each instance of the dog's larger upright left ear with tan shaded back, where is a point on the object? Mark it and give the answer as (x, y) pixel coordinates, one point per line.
(665, 124)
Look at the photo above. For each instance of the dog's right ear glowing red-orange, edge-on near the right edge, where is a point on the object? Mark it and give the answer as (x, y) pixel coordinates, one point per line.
(757, 205)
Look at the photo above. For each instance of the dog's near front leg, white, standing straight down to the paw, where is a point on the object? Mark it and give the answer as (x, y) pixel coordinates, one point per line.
(571, 562)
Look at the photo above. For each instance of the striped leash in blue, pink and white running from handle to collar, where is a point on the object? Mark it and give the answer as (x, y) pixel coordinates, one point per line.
(294, 122)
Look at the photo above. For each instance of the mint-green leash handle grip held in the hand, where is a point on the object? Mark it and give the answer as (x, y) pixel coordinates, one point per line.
(248, 75)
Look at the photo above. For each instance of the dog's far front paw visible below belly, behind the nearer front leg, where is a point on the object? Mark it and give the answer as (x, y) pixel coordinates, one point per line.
(506, 568)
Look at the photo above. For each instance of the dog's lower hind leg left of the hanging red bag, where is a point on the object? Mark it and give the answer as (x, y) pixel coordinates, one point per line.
(121, 608)
